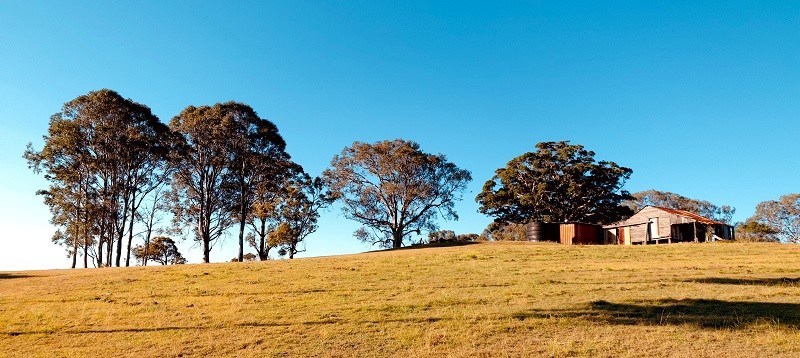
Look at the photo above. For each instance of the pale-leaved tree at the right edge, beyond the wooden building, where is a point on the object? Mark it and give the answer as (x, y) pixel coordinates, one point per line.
(782, 216)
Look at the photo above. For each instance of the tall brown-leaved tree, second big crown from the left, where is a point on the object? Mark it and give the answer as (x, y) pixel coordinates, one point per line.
(228, 150)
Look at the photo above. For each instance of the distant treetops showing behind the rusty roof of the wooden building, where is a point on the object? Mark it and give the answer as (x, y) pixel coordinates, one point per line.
(666, 199)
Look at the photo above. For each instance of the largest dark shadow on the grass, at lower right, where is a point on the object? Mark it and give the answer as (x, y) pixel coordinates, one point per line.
(701, 313)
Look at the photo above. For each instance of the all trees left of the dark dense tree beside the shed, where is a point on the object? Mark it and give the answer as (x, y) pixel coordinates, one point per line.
(115, 170)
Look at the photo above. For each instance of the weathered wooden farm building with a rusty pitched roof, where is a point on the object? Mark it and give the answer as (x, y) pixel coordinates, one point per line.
(656, 225)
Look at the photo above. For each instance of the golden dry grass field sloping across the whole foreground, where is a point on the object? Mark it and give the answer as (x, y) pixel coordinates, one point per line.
(491, 299)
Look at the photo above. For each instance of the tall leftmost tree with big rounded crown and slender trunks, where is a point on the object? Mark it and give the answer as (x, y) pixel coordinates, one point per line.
(99, 147)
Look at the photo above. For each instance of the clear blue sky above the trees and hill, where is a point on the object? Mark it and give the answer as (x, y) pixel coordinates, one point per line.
(698, 98)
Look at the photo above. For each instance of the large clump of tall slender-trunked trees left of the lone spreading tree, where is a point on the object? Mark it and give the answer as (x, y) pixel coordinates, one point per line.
(114, 169)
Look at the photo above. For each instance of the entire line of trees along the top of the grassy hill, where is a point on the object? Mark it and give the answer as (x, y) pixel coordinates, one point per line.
(115, 171)
